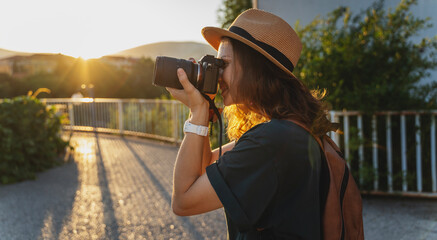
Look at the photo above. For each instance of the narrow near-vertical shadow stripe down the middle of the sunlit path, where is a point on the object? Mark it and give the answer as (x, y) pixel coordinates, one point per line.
(111, 225)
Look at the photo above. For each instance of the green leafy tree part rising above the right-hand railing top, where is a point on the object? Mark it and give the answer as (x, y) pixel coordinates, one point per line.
(368, 61)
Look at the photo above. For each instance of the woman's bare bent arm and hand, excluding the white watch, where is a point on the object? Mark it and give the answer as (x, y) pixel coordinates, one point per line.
(192, 191)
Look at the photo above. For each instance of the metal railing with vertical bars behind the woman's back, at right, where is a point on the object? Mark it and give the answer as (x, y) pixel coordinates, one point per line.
(396, 148)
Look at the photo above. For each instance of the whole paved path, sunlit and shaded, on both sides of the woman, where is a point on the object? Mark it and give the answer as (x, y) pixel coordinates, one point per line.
(120, 188)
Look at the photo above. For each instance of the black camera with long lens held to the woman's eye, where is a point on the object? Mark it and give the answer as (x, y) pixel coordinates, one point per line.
(203, 75)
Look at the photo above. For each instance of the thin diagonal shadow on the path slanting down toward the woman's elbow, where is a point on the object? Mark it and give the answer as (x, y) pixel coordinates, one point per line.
(187, 224)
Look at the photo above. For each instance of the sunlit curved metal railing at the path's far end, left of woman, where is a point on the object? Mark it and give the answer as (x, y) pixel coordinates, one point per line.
(158, 119)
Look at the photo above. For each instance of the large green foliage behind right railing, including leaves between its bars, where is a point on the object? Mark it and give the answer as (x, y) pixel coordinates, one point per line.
(373, 61)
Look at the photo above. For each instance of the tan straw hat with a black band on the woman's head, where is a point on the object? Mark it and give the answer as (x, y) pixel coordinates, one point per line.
(266, 33)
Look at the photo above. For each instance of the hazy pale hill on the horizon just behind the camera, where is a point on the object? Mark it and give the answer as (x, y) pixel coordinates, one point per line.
(172, 49)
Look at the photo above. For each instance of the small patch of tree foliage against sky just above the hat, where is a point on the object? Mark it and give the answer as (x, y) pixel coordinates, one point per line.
(231, 9)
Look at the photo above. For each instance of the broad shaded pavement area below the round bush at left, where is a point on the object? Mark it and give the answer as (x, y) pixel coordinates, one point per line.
(37, 209)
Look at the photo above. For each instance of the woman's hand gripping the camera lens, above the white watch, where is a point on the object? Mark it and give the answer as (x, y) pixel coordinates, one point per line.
(189, 96)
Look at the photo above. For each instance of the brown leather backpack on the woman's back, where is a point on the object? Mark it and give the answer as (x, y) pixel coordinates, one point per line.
(341, 202)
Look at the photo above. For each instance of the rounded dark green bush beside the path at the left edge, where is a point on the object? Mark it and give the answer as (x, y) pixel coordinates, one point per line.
(30, 140)
